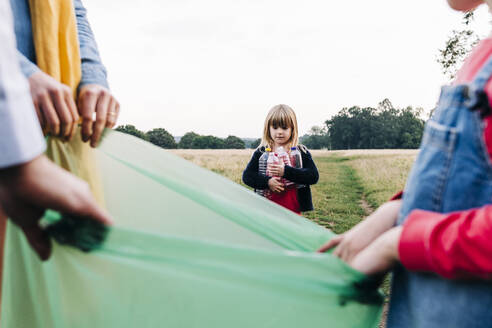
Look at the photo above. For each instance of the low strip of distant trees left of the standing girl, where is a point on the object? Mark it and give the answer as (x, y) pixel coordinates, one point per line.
(191, 140)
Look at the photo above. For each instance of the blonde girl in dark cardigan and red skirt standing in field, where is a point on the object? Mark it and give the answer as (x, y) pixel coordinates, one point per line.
(281, 131)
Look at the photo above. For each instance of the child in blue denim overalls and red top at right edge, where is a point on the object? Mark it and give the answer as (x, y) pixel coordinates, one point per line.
(441, 245)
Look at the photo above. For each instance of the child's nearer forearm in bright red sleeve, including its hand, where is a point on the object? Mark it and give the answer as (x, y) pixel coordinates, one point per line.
(453, 245)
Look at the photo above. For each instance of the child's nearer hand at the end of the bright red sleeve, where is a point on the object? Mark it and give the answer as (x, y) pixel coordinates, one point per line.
(381, 255)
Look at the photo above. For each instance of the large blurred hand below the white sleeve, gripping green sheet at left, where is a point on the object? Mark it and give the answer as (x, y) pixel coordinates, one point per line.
(27, 190)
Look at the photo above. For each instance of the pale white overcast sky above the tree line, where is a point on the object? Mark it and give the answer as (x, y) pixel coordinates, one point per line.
(217, 66)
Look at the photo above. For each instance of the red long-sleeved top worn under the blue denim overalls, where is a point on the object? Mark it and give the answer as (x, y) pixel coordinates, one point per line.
(458, 244)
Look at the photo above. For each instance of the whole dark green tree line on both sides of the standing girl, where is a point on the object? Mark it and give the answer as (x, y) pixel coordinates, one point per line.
(351, 128)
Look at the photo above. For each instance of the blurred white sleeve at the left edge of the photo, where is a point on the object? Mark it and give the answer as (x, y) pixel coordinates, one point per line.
(21, 139)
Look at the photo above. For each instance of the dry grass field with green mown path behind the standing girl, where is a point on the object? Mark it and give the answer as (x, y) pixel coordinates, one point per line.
(352, 183)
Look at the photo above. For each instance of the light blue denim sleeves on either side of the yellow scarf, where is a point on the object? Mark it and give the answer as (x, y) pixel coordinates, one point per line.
(93, 71)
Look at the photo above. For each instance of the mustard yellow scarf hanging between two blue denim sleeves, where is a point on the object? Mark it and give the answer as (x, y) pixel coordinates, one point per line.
(56, 42)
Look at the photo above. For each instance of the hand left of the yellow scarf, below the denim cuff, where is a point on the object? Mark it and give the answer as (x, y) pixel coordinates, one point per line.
(54, 105)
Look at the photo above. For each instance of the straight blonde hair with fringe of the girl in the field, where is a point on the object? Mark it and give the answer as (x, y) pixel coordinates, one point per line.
(283, 116)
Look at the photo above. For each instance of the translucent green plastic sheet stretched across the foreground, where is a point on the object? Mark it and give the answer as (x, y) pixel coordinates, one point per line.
(189, 249)
